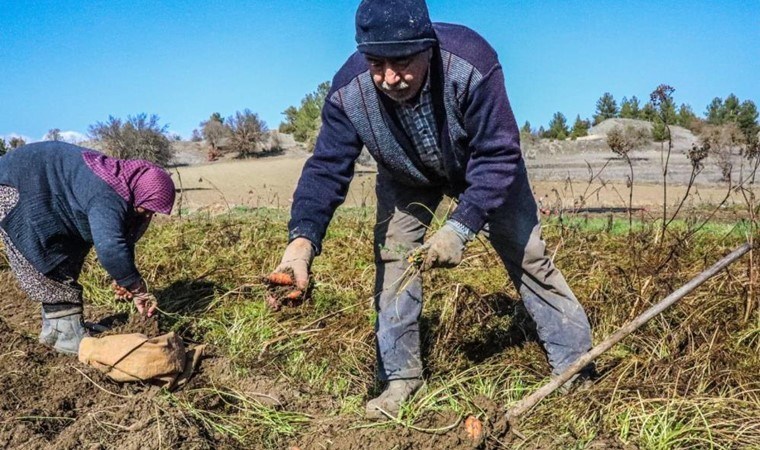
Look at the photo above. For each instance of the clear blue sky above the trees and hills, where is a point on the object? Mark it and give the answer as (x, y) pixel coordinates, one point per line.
(69, 64)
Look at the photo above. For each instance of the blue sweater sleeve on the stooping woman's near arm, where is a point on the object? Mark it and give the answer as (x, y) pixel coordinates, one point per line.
(108, 224)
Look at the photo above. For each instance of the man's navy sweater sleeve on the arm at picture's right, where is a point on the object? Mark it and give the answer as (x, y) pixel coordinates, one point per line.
(495, 151)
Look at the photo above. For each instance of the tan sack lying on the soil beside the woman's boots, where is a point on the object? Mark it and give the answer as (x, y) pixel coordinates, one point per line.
(135, 357)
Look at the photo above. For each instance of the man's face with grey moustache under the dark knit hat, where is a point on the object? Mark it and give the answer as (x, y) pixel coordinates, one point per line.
(400, 78)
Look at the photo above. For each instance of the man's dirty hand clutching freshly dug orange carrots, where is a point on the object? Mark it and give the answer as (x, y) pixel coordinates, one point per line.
(290, 280)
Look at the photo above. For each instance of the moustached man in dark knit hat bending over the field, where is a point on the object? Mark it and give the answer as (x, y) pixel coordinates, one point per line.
(429, 103)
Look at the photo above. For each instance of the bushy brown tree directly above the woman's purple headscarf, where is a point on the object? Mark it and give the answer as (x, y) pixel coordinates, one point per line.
(139, 137)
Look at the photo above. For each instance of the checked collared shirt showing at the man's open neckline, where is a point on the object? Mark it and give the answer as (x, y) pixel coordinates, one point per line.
(418, 122)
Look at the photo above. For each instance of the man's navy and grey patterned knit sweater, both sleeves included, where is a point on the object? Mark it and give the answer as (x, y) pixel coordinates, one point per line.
(477, 132)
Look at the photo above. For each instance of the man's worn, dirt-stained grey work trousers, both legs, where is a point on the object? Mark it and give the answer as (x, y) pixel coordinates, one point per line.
(403, 216)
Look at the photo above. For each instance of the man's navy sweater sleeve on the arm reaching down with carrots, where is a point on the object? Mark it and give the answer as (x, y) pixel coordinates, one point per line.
(326, 176)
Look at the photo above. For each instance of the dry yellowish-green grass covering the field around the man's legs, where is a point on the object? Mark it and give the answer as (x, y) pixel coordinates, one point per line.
(688, 379)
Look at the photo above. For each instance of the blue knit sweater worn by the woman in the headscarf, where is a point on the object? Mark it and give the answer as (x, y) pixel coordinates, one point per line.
(64, 208)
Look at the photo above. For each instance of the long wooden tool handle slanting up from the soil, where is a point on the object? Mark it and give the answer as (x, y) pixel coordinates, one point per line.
(530, 401)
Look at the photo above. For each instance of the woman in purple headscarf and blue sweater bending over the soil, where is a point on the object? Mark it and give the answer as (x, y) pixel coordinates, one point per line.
(57, 200)
